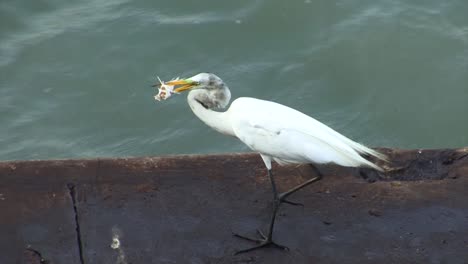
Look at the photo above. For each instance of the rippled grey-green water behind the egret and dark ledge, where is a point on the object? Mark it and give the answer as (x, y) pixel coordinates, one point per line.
(75, 77)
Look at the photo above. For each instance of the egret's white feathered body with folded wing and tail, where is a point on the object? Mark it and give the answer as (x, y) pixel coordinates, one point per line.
(292, 136)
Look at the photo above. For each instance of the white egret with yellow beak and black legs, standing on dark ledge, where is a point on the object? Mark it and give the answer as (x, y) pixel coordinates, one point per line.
(275, 131)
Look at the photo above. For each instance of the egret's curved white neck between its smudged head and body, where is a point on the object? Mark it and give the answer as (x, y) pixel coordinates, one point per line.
(219, 121)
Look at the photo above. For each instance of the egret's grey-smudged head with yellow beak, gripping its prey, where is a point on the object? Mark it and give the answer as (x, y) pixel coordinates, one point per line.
(213, 92)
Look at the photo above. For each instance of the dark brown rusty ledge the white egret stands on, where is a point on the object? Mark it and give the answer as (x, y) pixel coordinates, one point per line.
(183, 209)
